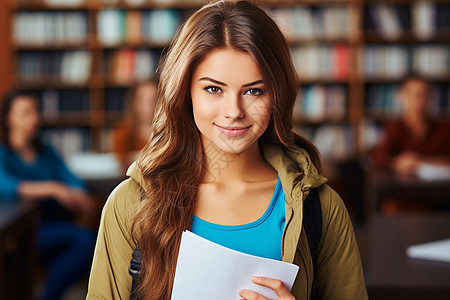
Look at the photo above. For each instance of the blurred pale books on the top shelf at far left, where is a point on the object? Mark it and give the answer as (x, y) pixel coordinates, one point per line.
(50, 28)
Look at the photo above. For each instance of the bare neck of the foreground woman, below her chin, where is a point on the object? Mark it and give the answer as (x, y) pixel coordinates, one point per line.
(225, 168)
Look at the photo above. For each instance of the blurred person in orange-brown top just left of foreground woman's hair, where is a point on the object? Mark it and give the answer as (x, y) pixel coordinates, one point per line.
(132, 133)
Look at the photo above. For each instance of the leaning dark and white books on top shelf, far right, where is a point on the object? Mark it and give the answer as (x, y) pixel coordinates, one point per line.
(423, 18)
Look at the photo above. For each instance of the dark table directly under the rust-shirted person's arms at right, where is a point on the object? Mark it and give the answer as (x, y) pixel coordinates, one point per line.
(384, 184)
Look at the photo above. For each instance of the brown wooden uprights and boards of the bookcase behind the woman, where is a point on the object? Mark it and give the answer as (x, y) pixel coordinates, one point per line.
(99, 86)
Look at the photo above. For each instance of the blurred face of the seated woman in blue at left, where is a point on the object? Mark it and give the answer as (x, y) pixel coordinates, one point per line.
(23, 117)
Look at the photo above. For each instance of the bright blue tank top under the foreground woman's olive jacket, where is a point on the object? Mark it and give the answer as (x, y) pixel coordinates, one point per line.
(261, 237)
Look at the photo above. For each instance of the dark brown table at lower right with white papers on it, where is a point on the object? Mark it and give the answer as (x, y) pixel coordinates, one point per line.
(391, 274)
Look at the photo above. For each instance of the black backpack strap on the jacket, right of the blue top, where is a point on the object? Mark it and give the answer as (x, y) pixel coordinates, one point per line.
(312, 223)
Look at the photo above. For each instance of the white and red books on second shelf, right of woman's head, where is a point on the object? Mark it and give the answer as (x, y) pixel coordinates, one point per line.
(316, 62)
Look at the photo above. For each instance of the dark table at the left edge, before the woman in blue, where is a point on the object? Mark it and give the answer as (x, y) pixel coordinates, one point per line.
(18, 225)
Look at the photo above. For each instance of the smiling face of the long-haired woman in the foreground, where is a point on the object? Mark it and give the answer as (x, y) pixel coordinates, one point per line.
(230, 104)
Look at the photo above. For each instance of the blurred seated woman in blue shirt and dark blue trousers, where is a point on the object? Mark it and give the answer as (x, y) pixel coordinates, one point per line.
(31, 171)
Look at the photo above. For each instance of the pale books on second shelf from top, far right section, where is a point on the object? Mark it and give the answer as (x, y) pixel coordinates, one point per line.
(392, 62)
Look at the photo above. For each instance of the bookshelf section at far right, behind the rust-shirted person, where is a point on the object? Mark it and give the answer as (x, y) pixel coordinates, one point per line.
(401, 38)
